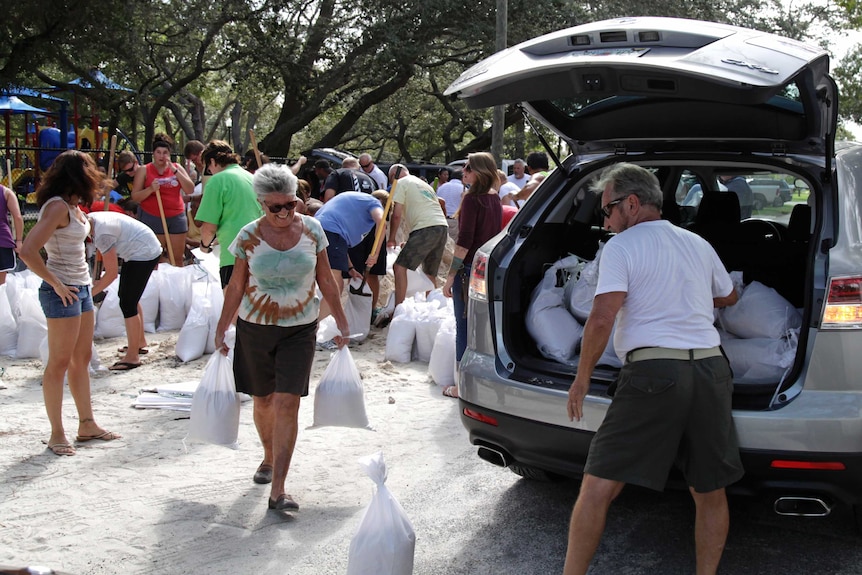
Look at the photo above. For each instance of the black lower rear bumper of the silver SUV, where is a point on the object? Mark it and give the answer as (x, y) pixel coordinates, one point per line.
(563, 451)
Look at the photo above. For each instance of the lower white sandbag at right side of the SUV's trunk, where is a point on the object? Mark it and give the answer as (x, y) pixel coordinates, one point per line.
(760, 360)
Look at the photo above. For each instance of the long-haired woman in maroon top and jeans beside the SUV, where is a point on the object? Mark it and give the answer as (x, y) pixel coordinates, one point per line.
(479, 220)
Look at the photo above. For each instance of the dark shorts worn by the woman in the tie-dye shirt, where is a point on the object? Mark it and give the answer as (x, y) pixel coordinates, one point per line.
(271, 358)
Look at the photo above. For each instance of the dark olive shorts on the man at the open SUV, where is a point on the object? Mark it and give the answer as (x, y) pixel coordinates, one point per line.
(669, 412)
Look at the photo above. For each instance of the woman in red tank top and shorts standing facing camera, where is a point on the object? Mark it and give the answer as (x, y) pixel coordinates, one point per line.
(171, 182)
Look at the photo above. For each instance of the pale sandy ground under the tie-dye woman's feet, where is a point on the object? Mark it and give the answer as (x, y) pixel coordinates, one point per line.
(145, 504)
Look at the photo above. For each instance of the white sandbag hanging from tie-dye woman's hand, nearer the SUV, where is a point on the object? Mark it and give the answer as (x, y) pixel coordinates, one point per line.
(339, 398)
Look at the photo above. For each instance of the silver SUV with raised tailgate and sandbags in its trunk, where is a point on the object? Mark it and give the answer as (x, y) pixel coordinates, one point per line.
(697, 103)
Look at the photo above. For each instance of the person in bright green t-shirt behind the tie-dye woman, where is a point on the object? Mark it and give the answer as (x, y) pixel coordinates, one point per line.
(228, 203)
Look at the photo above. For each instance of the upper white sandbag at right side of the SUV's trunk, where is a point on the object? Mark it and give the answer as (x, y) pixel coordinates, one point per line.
(761, 312)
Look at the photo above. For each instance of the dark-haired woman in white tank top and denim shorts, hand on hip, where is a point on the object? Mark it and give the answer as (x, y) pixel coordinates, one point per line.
(65, 292)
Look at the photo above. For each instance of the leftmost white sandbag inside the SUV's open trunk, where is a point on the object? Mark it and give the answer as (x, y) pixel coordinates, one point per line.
(552, 327)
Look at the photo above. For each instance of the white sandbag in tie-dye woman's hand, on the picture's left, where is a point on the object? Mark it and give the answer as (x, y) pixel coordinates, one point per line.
(215, 404)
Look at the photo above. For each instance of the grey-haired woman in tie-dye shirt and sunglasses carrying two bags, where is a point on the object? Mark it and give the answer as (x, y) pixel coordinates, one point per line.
(279, 258)
